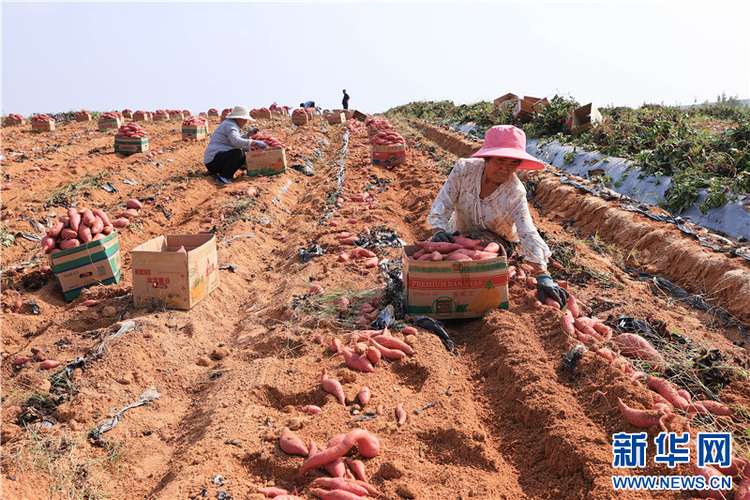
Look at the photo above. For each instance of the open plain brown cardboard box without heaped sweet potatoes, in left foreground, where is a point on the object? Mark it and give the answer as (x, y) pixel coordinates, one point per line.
(166, 278)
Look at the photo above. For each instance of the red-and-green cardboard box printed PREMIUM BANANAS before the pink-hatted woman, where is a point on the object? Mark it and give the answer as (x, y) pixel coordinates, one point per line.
(447, 290)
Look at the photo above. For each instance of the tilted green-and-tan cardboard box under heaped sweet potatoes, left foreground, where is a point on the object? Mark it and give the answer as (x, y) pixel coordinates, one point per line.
(94, 263)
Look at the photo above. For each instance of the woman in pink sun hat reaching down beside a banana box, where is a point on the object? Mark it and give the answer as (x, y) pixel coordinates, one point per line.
(484, 195)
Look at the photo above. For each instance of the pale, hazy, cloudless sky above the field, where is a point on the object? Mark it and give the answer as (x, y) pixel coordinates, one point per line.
(104, 56)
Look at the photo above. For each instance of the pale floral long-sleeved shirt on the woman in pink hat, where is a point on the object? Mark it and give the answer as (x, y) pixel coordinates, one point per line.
(458, 207)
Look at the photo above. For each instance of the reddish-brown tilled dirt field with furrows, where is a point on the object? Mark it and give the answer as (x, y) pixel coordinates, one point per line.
(506, 418)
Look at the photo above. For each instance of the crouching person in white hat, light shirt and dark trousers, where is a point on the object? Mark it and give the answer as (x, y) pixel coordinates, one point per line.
(225, 153)
